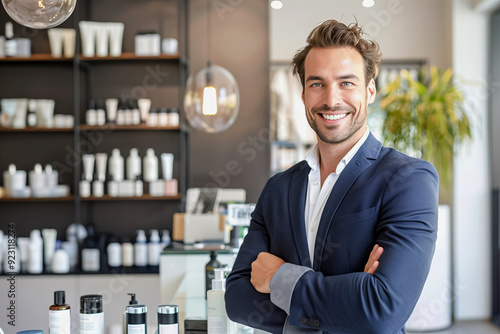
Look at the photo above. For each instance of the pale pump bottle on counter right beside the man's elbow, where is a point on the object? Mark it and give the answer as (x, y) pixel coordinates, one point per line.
(218, 322)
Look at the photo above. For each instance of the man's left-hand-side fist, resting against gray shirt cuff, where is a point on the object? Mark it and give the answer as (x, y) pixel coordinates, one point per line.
(263, 269)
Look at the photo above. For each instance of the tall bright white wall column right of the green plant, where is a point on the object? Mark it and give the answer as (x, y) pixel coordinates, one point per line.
(472, 184)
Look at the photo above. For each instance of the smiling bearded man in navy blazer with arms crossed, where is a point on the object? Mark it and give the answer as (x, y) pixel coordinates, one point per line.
(341, 242)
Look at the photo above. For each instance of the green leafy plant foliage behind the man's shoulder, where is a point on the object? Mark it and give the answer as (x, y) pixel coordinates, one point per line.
(425, 117)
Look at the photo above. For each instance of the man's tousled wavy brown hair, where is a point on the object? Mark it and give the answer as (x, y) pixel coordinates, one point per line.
(332, 33)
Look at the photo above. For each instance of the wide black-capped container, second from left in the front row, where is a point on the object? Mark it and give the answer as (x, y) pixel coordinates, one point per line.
(91, 314)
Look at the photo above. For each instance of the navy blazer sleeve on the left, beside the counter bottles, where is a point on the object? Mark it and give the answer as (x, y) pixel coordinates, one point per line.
(244, 304)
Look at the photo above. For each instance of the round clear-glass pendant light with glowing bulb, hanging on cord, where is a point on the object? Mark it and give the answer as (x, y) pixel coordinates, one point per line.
(211, 102)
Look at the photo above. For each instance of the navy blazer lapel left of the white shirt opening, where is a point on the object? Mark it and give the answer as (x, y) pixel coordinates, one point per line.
(297, 193)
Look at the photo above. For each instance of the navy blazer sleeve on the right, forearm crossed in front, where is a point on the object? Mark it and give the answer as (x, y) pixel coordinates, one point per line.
(379, 303)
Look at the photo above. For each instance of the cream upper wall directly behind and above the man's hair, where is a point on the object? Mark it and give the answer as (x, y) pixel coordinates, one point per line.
(405, 29)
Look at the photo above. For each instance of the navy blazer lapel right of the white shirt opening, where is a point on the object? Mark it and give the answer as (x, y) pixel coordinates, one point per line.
(361, 160)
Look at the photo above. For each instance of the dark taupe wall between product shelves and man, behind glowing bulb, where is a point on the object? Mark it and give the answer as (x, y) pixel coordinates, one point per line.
(238, 157)
